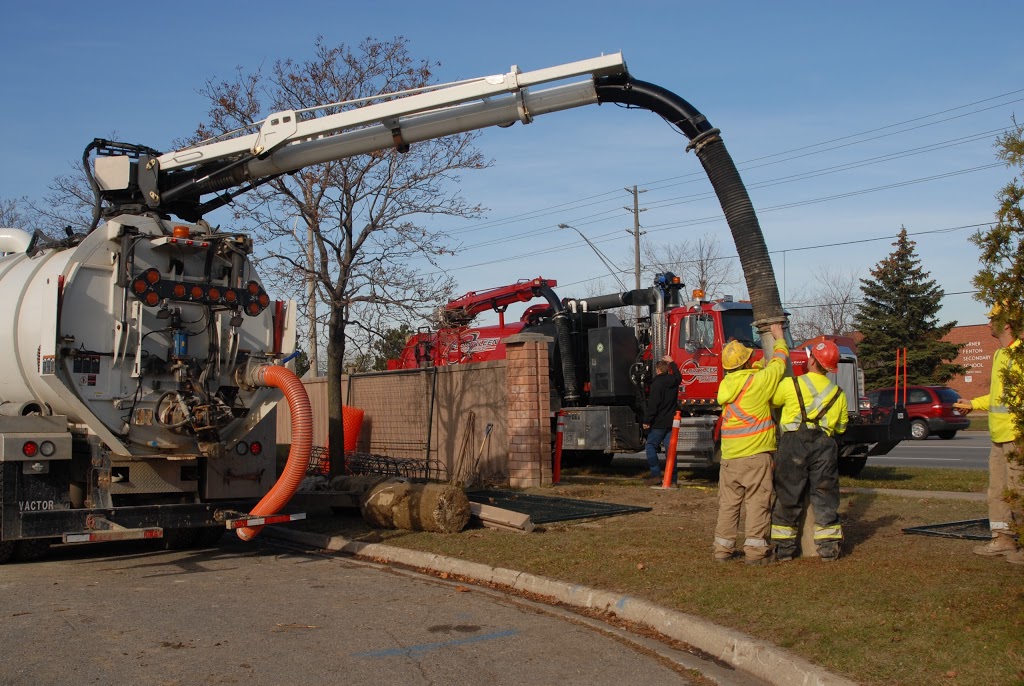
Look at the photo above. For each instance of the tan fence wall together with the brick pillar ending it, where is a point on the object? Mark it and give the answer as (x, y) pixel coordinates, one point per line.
(513, 396)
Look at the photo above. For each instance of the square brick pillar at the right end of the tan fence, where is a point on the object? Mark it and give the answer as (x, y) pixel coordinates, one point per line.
(529, 410)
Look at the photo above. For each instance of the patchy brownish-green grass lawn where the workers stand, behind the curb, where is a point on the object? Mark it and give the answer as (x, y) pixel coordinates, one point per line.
(898, 610)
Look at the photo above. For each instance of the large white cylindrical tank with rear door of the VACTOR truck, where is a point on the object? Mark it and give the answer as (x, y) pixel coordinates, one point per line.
(149, 372)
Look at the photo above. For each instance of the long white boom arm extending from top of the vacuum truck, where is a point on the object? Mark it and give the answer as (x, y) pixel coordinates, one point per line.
(404, 120)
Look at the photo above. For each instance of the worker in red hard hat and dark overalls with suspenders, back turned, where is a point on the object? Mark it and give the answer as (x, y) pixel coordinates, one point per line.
(815, 410)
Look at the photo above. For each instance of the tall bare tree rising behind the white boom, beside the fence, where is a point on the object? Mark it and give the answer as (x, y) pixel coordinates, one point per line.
(362, 211)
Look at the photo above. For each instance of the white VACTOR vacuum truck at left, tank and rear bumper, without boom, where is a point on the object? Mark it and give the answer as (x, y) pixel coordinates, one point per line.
(134, 381)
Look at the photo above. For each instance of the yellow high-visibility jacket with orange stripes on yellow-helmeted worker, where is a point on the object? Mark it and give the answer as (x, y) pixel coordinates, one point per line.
(745, 396)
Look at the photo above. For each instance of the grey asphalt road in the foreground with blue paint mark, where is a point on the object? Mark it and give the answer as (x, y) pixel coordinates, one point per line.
(267, 614)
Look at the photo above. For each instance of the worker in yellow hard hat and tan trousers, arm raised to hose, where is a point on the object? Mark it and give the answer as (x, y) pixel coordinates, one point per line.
(748, 443)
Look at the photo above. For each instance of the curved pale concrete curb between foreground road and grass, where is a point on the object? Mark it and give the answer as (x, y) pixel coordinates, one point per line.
(754, 657)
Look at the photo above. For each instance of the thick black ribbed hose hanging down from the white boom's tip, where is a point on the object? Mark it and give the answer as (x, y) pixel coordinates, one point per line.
(707, 142)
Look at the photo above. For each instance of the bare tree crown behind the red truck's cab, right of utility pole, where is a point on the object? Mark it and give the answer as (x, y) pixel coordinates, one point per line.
(701, 263)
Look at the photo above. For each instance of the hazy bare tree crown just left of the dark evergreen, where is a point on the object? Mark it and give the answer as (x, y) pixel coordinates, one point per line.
(827, 307)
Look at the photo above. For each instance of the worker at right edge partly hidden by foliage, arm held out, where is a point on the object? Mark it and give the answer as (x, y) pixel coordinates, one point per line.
(1004, 474)
